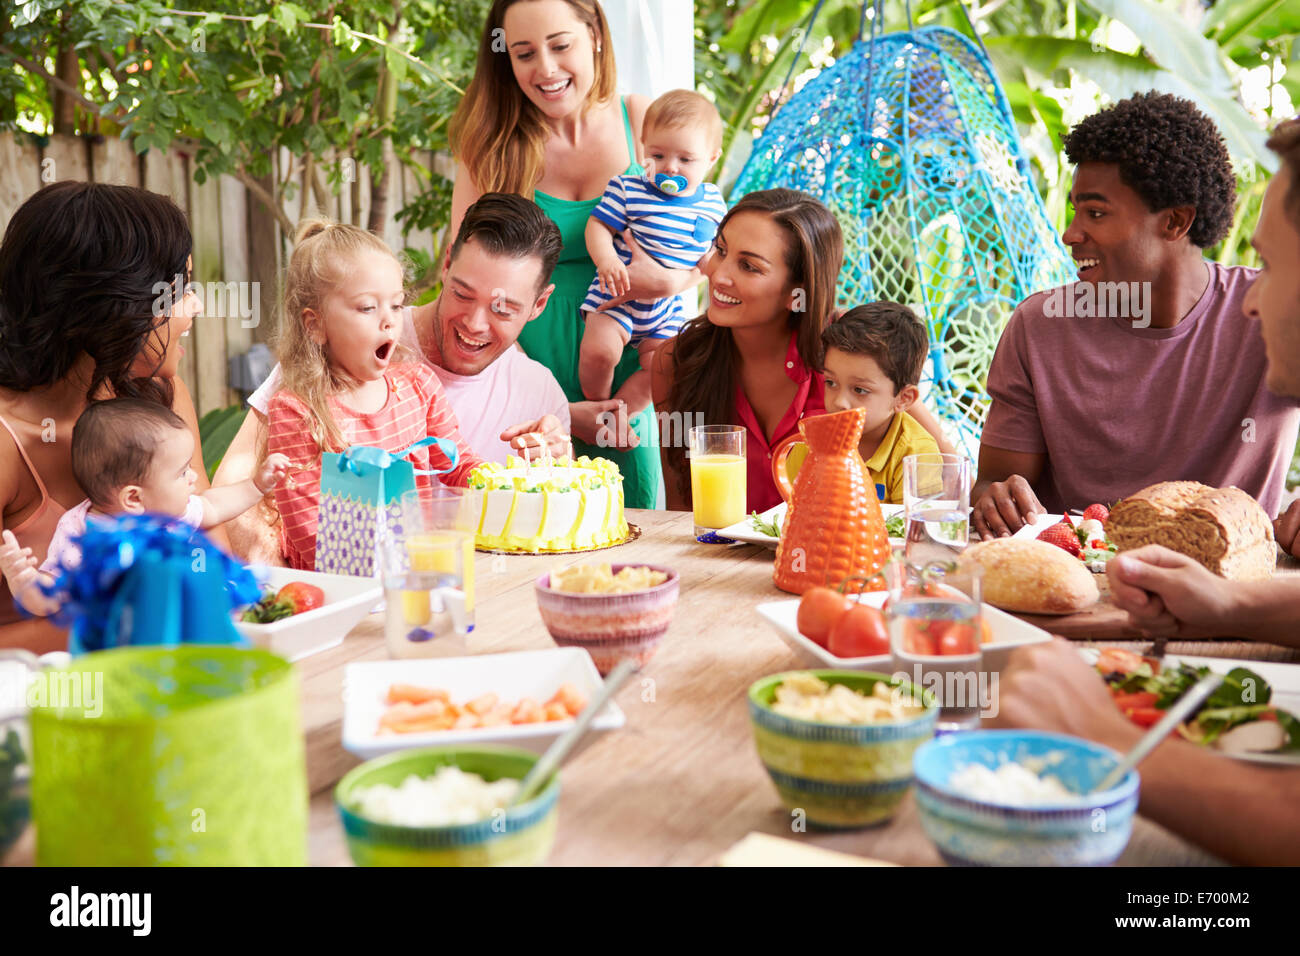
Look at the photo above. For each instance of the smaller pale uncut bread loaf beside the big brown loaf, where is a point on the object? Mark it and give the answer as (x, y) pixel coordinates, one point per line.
(1032, 577)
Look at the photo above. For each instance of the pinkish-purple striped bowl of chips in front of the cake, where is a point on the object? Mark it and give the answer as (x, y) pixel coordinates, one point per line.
(610, 626)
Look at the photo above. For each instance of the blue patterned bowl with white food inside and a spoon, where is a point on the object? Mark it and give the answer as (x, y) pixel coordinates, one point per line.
(1090, 832)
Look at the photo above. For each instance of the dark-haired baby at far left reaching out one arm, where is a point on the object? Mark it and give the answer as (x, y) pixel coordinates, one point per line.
(131, 457)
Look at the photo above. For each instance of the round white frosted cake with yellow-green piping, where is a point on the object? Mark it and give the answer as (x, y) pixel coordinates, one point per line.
(558, 507)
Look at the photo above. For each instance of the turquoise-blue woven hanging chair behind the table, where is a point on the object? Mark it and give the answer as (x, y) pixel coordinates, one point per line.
(909, 140)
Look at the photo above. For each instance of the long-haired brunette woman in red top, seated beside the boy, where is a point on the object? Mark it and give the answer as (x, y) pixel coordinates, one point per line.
(752, 358)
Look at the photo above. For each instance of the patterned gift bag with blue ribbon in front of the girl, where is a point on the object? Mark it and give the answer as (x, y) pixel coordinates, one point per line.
(361, 496)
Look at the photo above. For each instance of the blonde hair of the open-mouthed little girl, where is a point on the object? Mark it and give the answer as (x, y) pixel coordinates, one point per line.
(322, 254)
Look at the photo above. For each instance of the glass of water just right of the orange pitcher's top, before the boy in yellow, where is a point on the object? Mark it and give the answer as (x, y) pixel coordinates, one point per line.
(937, 496)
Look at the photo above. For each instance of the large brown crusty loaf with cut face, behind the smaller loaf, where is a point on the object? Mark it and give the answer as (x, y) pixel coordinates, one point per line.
(1223, 529)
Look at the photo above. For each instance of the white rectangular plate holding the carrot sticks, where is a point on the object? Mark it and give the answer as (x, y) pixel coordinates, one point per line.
(536, 674)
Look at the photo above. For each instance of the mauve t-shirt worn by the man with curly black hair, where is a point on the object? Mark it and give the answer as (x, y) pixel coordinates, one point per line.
(1117, 409)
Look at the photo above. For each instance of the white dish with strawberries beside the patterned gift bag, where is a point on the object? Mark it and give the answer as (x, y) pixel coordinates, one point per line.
(348, 602)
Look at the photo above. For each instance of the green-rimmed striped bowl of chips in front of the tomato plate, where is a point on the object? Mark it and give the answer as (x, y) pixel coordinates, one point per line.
(839, 776)
